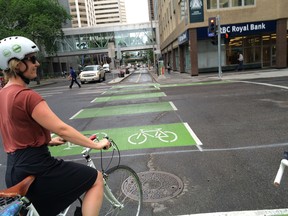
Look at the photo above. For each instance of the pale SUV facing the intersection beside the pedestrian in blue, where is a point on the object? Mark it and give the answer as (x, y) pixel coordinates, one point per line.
(92, 73)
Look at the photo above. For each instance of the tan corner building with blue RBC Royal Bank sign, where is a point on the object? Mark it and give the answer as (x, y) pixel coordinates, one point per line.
(255, 28)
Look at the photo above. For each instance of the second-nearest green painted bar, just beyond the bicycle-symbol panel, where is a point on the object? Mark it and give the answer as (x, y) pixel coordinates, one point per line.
(124, 110)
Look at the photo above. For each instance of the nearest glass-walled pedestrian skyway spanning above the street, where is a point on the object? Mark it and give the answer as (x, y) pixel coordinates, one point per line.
(107, 39)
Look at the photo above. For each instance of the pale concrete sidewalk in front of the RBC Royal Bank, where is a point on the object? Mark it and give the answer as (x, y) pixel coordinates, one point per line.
(177, 77)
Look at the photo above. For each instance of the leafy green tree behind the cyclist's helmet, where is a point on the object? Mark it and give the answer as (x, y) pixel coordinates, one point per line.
(39, 20)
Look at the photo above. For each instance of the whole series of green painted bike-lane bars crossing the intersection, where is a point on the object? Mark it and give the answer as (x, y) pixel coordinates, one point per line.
(140, 137)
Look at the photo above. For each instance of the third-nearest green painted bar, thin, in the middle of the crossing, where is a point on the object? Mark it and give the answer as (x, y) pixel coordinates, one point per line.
(129, 97)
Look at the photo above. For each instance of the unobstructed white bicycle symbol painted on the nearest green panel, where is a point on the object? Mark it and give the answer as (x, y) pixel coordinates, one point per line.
(141, 137)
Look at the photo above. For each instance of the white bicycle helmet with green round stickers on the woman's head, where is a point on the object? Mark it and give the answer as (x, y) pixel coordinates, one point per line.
(15, 47)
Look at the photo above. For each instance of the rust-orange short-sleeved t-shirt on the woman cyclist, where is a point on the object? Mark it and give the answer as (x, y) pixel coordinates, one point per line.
(18, 129)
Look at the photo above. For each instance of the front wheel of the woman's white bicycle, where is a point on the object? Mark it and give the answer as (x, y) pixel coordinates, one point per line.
(123, 192)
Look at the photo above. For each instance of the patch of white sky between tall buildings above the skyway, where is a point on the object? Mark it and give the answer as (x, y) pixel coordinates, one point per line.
(137, 11)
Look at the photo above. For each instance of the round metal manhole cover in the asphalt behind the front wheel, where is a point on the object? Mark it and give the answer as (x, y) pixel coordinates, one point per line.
(157, 186)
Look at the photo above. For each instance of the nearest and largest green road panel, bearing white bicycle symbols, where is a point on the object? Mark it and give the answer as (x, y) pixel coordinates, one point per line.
(121, 137)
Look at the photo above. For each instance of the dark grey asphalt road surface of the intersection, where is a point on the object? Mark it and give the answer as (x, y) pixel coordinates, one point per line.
(242, 131)
